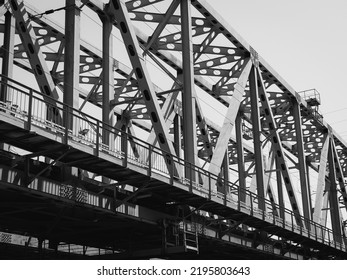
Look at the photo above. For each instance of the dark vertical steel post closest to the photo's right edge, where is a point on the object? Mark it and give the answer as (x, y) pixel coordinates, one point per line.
(333, 198)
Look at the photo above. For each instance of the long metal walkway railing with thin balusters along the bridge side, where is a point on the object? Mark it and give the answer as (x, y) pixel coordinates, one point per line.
(78, 128)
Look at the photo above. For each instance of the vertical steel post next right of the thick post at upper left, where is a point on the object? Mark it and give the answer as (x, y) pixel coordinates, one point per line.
(107, 80)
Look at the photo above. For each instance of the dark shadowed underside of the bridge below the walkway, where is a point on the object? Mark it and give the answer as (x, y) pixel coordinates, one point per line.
(118, 224)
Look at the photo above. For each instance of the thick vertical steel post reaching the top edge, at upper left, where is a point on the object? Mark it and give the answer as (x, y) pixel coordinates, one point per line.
(72, 58)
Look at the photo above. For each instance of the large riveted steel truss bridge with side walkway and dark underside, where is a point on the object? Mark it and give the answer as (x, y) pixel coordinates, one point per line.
(165, 135)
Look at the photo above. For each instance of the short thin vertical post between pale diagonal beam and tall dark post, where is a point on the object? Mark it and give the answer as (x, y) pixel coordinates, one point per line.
(240, 158)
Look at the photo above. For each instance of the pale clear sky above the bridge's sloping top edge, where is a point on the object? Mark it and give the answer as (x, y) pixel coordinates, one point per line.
(303, 40)
